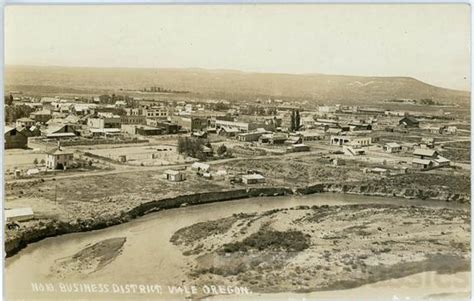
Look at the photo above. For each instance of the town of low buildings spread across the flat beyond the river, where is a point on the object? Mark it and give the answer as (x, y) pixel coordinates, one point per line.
(222, 144)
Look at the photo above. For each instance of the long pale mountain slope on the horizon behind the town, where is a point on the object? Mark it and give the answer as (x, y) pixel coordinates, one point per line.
(233, 84)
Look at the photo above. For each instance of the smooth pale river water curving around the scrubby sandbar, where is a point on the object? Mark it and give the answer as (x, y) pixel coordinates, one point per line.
(149, 258)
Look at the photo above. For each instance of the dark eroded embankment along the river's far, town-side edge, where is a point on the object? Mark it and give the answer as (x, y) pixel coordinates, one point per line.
(42, 228)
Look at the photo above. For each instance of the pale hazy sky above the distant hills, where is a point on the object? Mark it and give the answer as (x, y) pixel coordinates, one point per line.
(429, 42)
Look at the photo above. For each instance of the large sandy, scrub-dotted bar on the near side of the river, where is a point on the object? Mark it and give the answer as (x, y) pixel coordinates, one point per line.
(328, 247)
